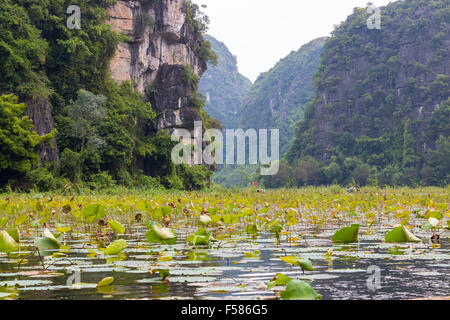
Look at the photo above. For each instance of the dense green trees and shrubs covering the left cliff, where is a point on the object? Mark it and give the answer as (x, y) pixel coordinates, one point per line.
(42, 61)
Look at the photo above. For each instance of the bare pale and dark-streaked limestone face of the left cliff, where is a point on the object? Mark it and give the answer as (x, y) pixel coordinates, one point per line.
(160, 44)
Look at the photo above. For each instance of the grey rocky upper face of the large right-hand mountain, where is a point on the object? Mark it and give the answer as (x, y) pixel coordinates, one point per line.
(390, 75)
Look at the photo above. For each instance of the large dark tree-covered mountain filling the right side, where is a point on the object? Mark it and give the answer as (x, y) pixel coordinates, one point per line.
(381, 113)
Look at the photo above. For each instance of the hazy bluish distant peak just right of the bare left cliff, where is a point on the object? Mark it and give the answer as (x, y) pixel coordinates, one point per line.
(223, 86)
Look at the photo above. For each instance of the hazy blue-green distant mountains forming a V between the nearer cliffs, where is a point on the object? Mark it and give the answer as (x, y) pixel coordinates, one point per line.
(276, 101)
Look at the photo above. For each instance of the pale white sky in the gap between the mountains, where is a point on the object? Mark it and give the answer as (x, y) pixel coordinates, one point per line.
(261, 32)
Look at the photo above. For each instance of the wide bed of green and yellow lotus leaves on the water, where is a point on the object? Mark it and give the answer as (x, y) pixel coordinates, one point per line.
(325, 243)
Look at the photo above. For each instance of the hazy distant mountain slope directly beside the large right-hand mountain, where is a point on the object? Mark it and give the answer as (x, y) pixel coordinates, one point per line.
(278, 98)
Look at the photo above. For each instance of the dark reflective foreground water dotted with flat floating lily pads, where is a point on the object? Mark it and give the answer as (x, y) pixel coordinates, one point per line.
(239, 266)
